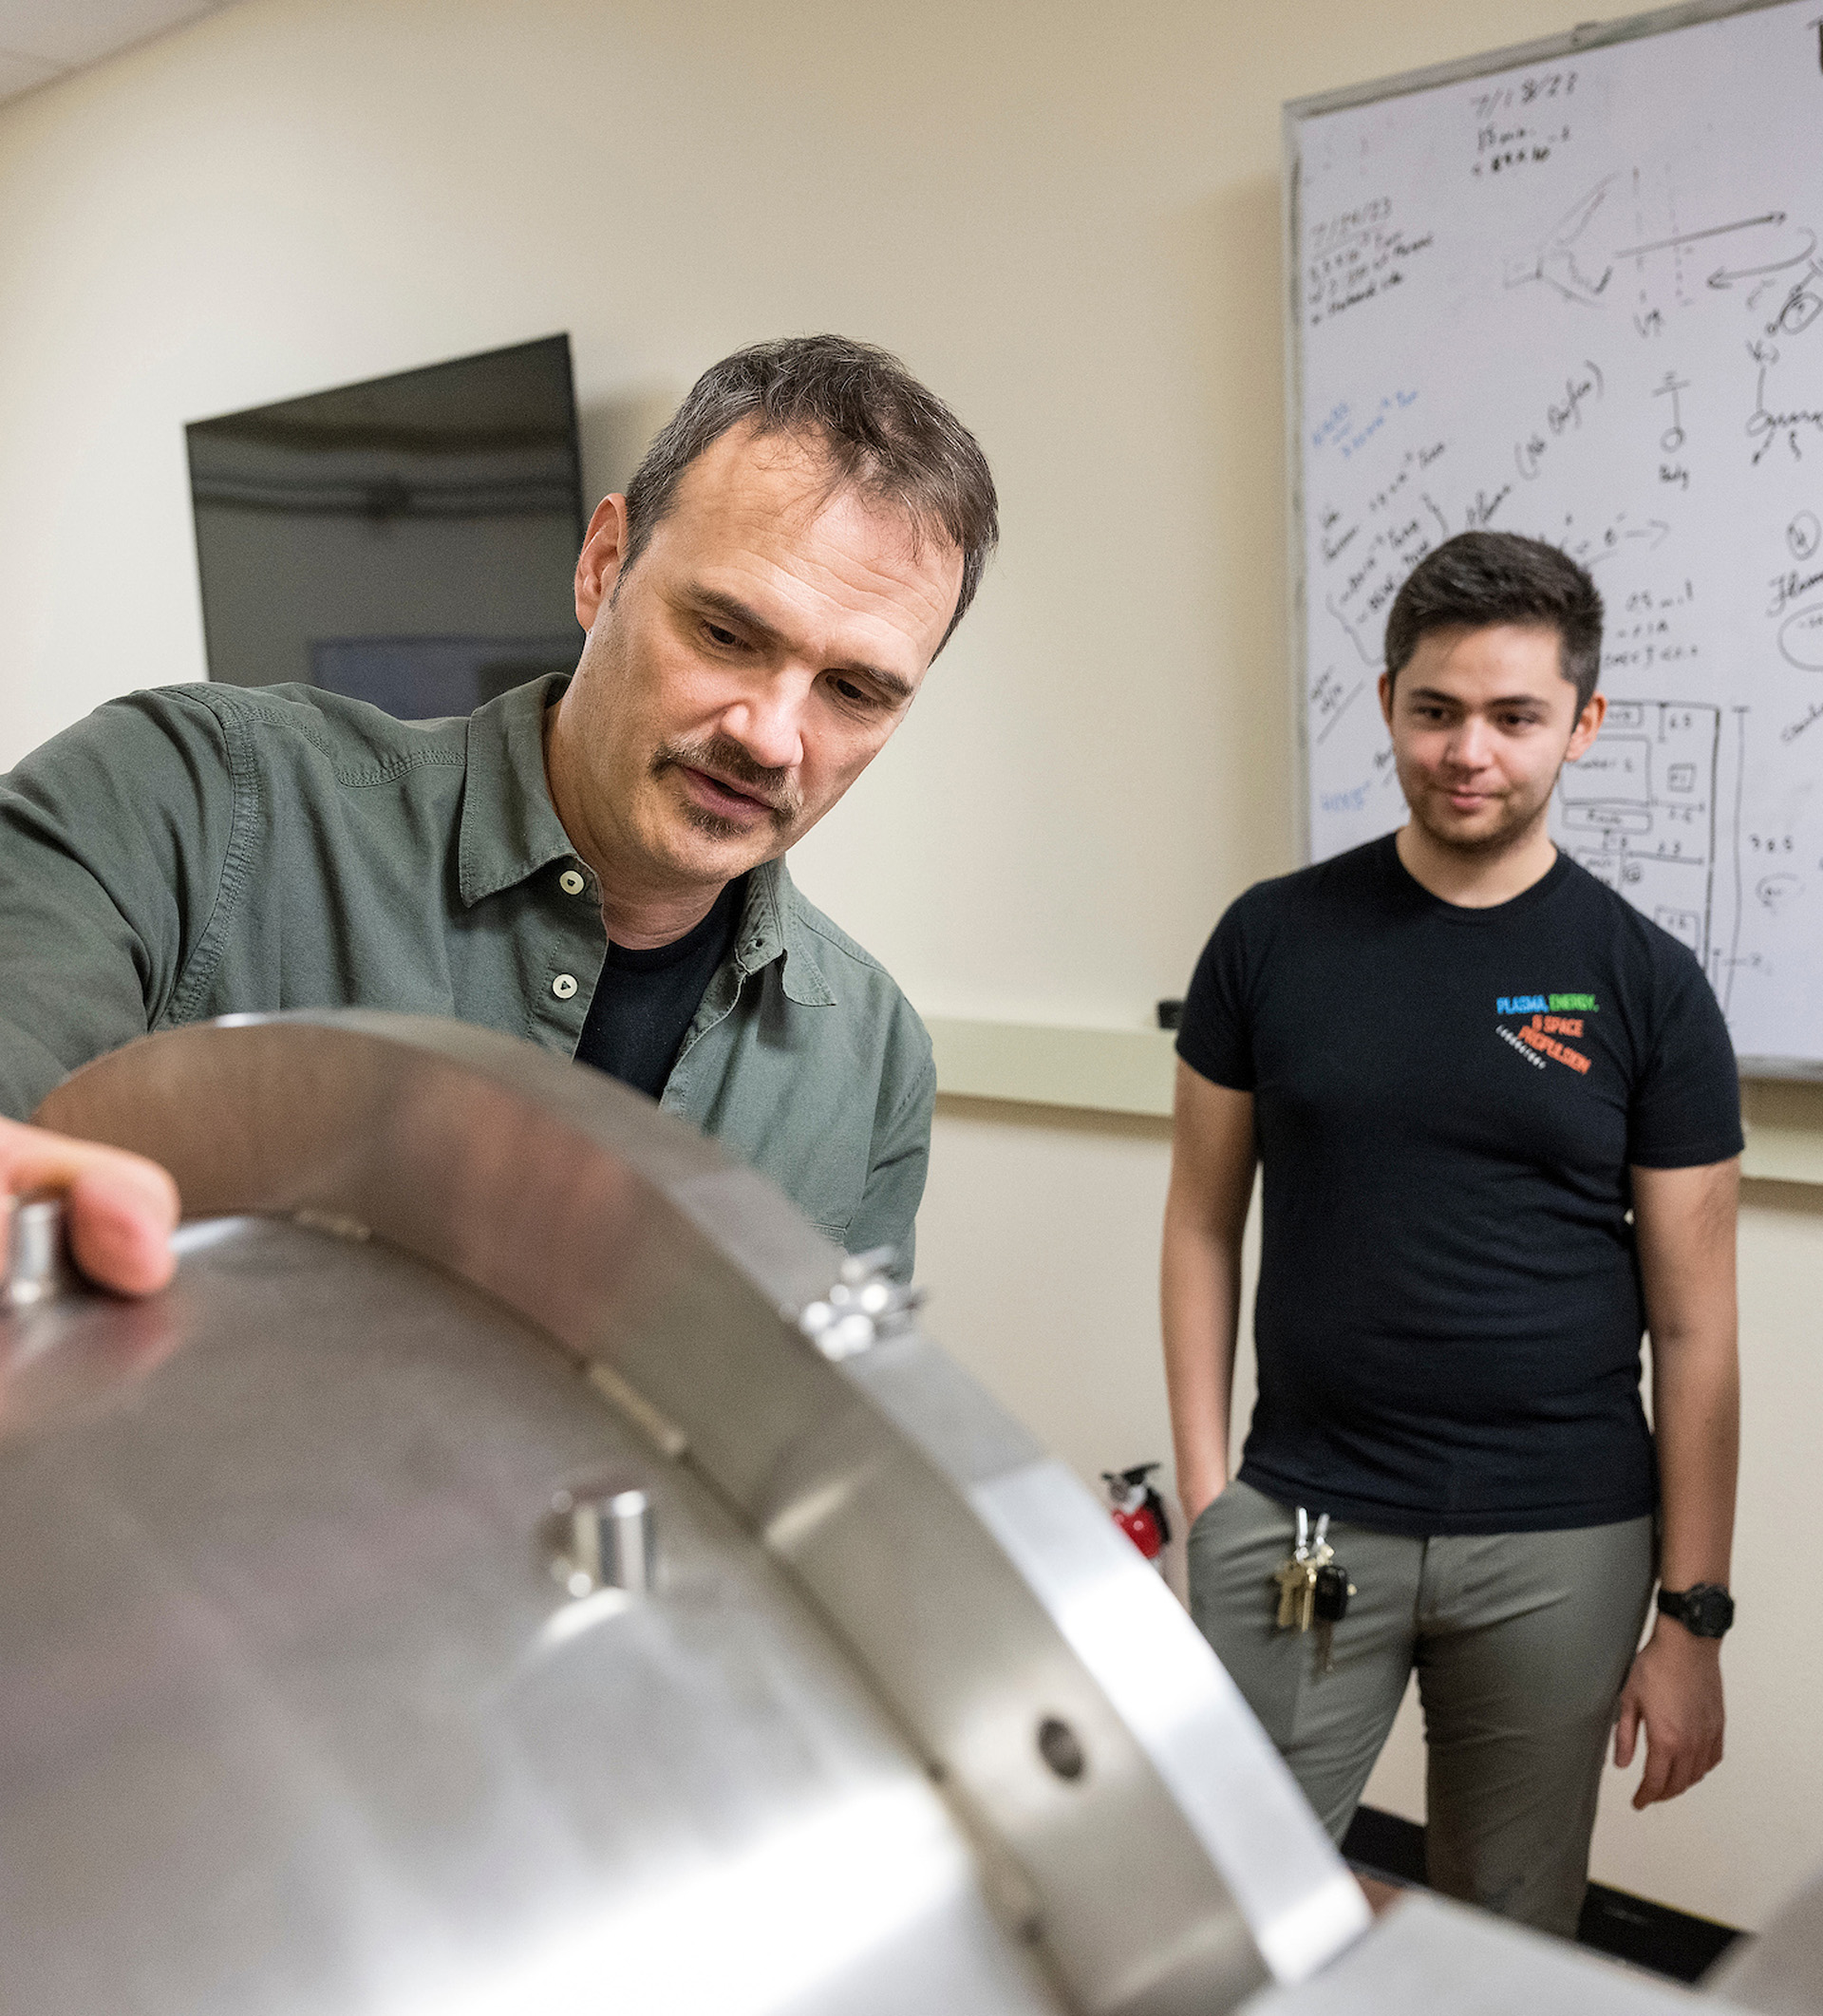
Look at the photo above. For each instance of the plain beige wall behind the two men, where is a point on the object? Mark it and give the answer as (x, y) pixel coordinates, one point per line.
(1066, 217)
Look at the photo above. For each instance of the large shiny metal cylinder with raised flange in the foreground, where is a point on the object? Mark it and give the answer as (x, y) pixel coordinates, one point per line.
(485, 1584)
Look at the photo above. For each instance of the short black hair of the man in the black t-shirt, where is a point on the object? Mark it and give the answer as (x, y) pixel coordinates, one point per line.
(1499, 578)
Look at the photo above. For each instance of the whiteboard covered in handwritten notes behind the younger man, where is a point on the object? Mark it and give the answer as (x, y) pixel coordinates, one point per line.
(1576, 291)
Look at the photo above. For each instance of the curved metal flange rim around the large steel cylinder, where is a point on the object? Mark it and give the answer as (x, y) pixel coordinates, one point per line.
(979, 1586)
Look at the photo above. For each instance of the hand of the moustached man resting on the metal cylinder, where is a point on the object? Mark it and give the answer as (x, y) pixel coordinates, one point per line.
(120, 1209)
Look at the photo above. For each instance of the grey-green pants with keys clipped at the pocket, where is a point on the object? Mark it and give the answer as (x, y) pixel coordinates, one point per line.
(1522, 1644)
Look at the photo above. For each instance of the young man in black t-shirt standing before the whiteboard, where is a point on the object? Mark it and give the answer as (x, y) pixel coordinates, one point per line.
(1499, 1124)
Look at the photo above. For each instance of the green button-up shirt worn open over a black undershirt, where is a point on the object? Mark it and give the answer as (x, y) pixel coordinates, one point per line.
(209, 850)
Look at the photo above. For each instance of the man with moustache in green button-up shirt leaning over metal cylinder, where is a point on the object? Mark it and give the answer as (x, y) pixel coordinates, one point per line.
(594, 862)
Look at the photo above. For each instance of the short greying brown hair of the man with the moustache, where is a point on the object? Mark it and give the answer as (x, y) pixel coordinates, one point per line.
(884, 434)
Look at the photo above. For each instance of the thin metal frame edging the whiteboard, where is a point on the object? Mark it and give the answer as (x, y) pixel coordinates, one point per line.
(1294, 114)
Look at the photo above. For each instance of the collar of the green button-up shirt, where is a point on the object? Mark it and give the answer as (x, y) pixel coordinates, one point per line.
(511, 832)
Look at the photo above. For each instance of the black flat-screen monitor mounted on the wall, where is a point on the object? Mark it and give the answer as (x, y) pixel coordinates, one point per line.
(410, 541)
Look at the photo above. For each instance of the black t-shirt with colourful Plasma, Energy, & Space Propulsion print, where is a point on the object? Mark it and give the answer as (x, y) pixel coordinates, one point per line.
(1447, 1106)
